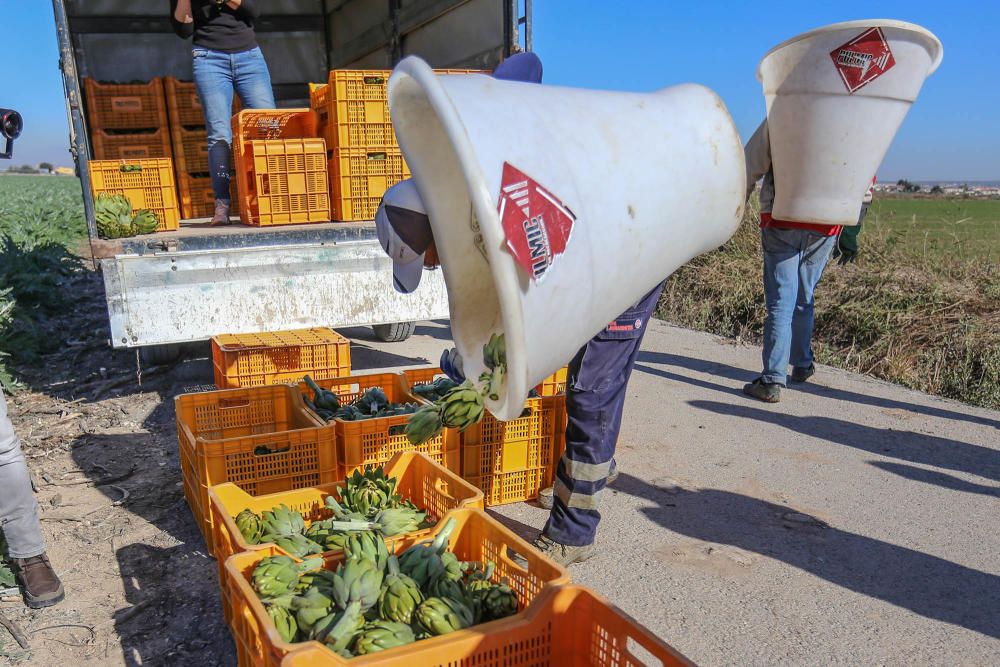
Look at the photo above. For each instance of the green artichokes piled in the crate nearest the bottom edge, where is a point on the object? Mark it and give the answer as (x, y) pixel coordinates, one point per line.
(375, 601)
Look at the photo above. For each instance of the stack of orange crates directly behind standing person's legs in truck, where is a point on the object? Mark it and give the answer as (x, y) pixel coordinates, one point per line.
(190, 148)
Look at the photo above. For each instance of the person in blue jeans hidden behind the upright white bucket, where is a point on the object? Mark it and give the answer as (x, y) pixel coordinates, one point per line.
(795, 254)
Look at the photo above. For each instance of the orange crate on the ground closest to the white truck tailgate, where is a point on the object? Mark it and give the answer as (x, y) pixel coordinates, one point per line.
(253, 360)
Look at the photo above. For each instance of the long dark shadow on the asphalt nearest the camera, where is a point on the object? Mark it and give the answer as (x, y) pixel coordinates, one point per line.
(924, 584)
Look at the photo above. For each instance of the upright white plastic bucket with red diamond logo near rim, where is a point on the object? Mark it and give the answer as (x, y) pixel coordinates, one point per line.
(835, 98)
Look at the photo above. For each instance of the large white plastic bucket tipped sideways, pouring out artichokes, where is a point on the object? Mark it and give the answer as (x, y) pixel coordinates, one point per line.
(641, 183)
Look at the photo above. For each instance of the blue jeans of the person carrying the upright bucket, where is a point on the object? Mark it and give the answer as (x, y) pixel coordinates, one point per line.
(794, 260)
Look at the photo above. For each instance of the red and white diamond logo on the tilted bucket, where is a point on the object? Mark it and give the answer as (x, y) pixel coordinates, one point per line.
(536, 223)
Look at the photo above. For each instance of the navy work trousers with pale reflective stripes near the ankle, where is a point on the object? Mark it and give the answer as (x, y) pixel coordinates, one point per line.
(595, 396)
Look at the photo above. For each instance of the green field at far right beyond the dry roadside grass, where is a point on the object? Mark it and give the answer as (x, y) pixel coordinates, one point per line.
(959, 228)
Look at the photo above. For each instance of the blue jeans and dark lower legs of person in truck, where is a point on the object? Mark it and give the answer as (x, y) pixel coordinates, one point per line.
(216, 74)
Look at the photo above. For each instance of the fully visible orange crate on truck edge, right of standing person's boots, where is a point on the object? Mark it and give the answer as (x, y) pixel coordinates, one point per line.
(289, 182)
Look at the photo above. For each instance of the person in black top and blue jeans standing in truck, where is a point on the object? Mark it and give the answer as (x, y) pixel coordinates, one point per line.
(225, 58)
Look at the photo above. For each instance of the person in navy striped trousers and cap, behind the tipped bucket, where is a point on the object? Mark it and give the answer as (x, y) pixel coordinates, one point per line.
(598, 374)
